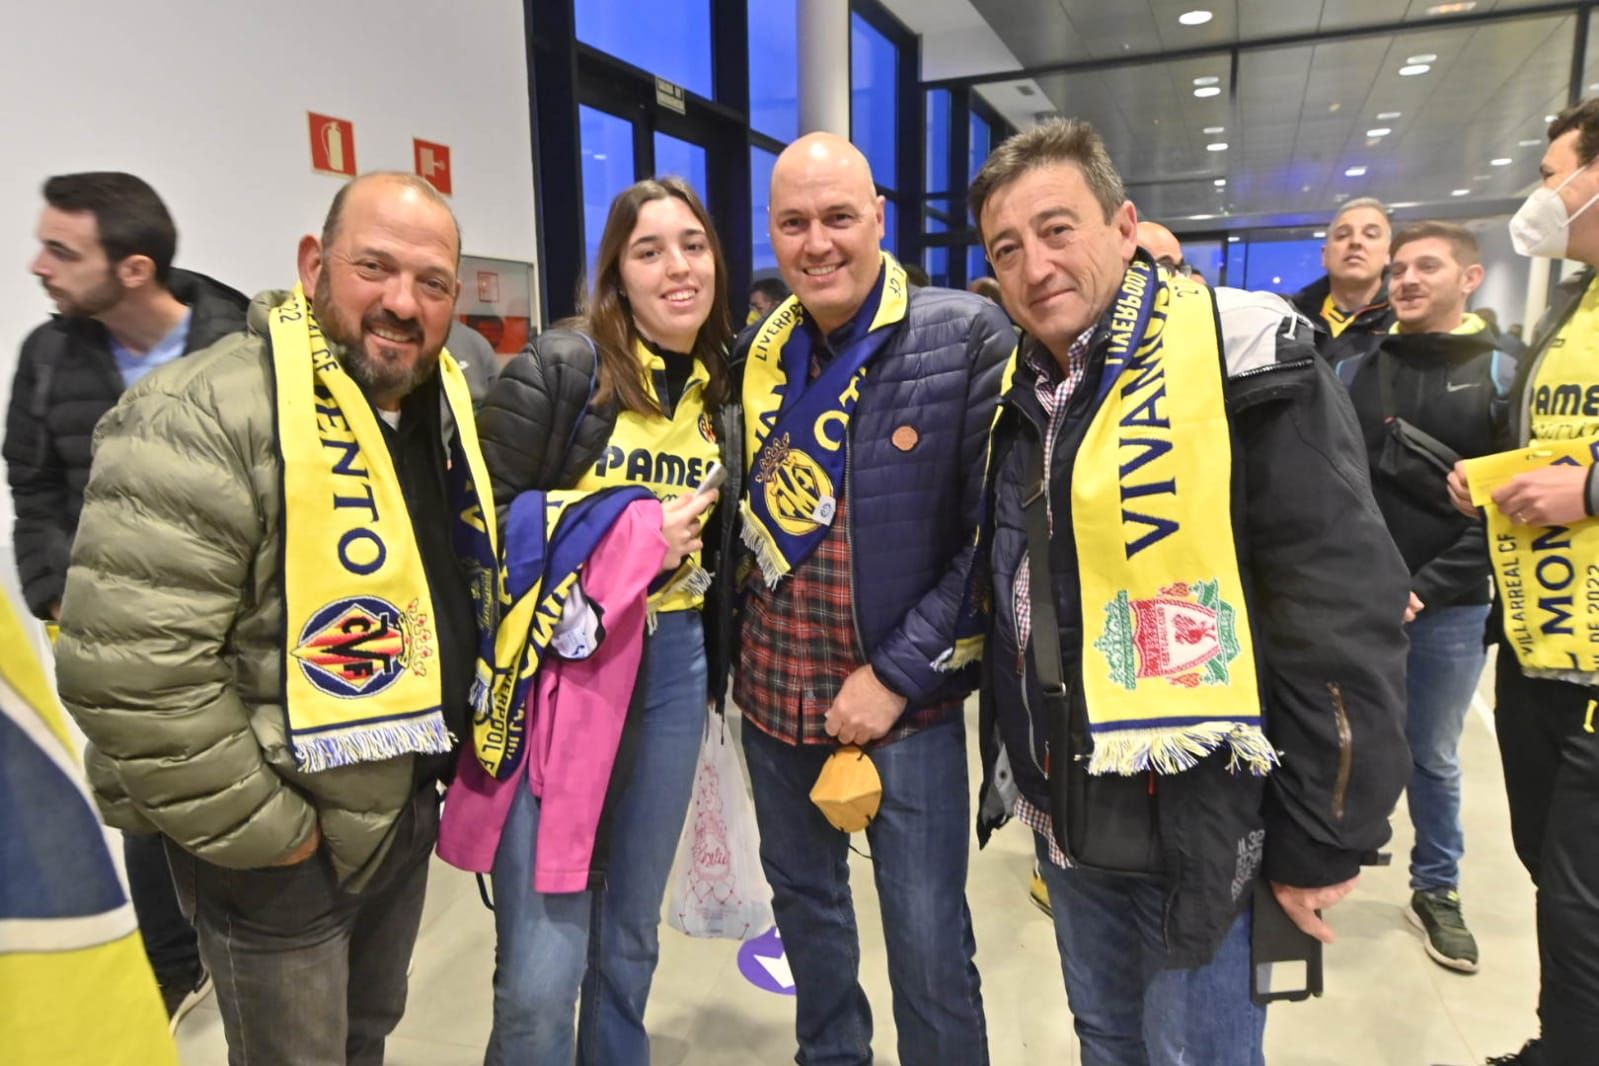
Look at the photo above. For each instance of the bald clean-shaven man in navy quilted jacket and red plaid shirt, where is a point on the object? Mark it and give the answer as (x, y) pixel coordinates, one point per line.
(867, 405)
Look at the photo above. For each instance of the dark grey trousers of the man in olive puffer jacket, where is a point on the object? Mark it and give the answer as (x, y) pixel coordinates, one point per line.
(306, 973)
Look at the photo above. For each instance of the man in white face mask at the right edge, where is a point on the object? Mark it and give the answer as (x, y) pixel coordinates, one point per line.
(1545, 551)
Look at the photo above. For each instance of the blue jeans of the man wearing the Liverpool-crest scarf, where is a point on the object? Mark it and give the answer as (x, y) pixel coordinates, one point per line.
(1126, 1008)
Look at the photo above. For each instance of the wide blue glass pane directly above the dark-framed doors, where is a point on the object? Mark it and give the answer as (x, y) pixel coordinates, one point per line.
(668, 38)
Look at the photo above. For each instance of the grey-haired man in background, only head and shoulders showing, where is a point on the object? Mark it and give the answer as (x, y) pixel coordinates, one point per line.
(1350, 303)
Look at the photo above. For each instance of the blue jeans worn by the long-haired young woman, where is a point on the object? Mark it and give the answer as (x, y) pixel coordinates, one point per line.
(600, 945)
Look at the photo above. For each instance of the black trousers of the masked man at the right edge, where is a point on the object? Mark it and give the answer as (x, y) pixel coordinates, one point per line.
(1552, 776)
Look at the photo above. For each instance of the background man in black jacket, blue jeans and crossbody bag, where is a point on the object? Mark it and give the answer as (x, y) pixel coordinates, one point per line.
(1434, 394)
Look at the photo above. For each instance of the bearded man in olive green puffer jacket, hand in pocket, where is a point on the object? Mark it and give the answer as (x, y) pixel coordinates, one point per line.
(268, 635)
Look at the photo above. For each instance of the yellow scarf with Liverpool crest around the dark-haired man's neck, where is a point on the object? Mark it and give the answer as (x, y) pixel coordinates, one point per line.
(1168, 659)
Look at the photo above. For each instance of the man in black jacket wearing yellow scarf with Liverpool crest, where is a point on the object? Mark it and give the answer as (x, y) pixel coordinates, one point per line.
(1194, 674)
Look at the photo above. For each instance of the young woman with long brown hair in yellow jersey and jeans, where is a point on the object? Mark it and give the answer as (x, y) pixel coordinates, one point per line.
(626, 394)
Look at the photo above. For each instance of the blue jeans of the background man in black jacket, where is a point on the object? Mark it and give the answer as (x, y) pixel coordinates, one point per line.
(1446, 661)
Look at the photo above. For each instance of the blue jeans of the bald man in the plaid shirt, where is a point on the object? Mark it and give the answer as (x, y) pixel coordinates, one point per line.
(919, 857)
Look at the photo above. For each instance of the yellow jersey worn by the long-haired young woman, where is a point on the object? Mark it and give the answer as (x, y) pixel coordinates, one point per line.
(669, 458)
